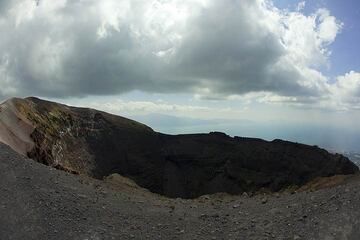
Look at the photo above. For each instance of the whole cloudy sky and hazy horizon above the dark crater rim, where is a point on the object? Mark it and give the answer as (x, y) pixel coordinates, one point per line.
(259, 68)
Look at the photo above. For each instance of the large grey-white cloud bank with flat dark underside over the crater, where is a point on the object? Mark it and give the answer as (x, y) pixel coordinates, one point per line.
(214, 49)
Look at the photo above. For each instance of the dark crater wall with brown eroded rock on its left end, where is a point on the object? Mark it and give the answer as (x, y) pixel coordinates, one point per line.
(98, 144)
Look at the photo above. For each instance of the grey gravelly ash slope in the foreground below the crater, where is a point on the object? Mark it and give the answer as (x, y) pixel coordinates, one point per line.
(39, 202)
